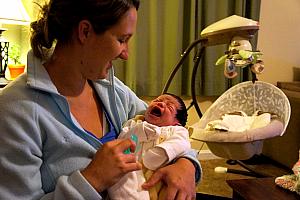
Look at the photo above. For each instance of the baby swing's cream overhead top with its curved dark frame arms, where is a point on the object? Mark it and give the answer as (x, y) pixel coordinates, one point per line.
(233, 29)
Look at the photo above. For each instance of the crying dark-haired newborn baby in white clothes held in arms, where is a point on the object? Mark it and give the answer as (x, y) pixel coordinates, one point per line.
(161, 137)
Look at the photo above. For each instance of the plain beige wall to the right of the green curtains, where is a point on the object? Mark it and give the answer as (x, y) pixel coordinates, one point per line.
(278, 39)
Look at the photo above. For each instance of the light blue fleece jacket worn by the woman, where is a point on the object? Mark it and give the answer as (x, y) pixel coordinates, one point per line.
(43, 147)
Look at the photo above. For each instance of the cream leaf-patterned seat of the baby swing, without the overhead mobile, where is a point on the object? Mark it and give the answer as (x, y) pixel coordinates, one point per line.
(248, 97)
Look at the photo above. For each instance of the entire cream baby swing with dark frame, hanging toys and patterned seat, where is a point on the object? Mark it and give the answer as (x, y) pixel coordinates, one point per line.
(246, 97)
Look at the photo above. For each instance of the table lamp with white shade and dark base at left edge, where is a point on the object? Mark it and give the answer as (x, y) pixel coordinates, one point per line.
(11, 12)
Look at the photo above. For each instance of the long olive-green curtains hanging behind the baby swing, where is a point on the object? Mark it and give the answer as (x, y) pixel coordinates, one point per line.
(165, 28)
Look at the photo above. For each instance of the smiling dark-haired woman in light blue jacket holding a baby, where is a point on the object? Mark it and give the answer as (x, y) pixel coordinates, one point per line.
(60, 120)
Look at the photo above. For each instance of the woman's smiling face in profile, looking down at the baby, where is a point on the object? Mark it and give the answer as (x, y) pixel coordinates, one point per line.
(110, 45)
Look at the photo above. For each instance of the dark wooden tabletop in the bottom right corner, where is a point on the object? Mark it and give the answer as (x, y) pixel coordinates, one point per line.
(259, 188)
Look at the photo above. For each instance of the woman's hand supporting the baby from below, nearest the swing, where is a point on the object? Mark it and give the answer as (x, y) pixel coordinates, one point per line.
(178, 178)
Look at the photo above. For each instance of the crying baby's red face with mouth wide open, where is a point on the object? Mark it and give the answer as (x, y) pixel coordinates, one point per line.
(162, 111)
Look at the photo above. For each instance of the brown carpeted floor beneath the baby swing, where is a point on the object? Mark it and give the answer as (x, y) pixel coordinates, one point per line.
(213, 183)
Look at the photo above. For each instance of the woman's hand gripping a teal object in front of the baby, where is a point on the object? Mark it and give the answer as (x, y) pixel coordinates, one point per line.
(110, 164)
